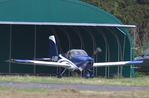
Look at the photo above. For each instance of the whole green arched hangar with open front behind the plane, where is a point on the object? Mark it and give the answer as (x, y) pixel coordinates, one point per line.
(25, 26)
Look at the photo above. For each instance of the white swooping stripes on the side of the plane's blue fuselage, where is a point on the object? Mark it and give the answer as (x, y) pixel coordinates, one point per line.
(66, 61)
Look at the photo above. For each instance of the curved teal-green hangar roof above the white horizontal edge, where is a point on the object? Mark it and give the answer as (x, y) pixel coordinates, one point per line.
(53, 11)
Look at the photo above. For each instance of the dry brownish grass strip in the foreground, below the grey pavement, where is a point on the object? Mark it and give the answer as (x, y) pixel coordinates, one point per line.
(72, 93)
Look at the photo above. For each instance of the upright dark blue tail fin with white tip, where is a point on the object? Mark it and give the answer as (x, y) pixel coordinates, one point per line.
(53, 51)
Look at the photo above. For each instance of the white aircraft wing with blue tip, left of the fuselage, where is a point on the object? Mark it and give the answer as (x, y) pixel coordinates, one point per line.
(36, 62)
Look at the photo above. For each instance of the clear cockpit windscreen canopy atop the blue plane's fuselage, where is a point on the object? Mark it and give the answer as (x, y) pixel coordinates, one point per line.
(75, 52)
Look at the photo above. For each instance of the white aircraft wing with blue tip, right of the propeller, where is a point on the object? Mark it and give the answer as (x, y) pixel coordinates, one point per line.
(120, 63)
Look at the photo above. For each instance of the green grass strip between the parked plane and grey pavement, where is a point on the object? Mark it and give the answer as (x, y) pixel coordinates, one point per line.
(138, 81)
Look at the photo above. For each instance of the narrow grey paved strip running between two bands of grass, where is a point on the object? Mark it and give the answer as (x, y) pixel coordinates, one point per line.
(72, 86)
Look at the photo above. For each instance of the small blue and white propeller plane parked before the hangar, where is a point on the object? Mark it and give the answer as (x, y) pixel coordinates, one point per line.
(73, 60)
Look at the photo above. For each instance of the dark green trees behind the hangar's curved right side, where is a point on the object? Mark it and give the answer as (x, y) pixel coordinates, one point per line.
(129, 12)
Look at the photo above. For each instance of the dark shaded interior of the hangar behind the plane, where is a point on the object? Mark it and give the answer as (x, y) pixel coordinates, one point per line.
(30, 41)
